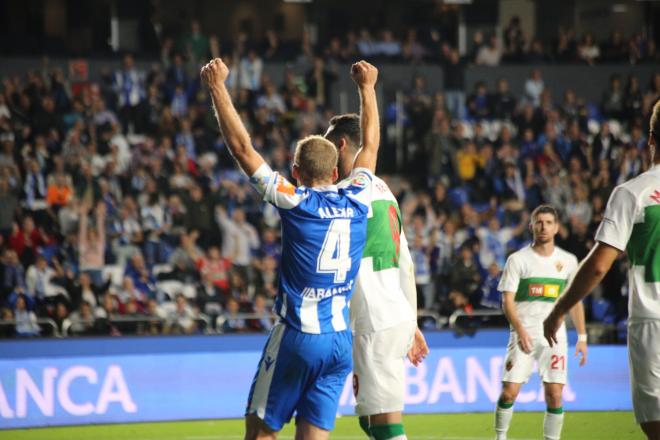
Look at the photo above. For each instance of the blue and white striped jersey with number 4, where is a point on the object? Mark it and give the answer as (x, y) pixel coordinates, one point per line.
(323, 235)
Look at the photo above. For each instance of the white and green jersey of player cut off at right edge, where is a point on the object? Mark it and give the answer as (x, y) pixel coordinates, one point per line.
(632, 223)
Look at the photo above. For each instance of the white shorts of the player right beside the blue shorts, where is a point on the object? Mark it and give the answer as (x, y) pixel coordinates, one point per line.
(379, 369)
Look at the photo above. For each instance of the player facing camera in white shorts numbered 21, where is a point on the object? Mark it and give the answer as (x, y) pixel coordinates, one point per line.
(532, 281)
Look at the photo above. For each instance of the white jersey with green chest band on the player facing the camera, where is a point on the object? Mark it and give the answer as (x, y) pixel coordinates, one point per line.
(537, 282)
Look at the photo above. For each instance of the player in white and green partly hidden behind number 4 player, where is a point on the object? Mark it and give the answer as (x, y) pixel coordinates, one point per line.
(384, 304)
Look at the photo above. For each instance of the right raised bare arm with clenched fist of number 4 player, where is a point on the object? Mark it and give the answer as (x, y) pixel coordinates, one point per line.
(365, 76)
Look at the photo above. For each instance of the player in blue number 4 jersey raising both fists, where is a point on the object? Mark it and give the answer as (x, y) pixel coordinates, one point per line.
(308, 354)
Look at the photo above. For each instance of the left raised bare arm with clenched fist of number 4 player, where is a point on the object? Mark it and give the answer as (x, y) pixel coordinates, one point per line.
(236, 136)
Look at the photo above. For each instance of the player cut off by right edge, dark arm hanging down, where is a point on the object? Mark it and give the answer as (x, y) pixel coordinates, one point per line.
(631, 224)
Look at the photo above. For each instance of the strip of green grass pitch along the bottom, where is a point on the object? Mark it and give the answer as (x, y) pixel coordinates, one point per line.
(525, 426)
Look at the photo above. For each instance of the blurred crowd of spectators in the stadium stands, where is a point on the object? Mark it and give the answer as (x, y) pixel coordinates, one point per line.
(122, 212)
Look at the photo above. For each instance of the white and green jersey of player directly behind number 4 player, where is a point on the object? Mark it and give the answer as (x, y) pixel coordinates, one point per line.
(385, 292)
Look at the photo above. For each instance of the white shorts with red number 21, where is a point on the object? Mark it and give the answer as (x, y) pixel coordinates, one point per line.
(552, 361)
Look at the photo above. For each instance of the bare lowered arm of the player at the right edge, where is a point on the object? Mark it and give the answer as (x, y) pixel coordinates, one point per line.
(589, 274)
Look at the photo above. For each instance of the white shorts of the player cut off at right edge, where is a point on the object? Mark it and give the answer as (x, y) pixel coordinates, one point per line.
(644, 360)
